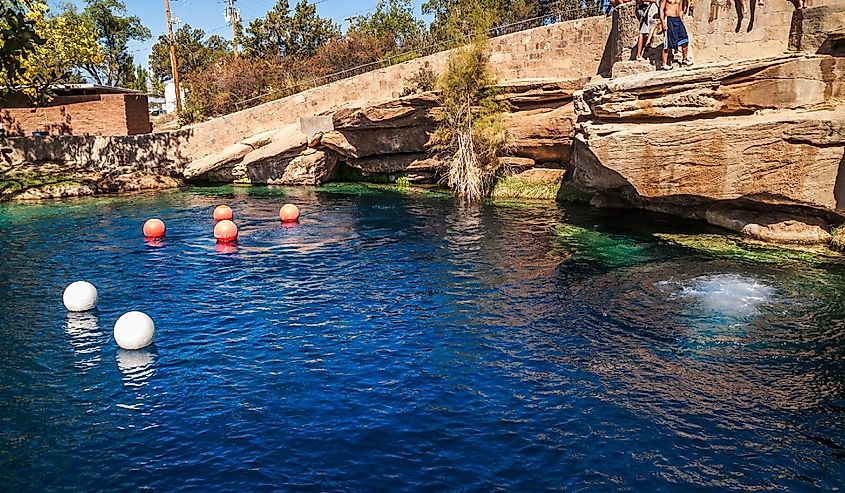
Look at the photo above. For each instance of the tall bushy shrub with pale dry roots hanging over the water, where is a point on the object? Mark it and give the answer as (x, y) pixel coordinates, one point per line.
(470, 135)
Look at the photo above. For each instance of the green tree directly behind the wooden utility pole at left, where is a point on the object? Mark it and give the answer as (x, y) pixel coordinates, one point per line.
(192, 53)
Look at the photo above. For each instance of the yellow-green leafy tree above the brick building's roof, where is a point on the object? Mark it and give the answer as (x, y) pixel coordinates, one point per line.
(69, 41)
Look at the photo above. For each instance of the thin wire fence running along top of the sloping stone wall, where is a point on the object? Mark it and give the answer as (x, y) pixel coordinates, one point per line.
(424, 49)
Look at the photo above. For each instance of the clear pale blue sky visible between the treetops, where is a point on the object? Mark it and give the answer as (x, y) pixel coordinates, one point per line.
(208, 15)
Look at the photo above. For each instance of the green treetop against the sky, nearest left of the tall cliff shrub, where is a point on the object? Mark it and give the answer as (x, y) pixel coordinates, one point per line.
(392, 19)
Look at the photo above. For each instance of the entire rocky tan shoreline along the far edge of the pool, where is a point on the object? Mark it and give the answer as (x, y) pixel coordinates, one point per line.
(753, 145)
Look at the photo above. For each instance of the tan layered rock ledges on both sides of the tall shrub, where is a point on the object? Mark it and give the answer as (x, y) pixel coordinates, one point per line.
(391, 138)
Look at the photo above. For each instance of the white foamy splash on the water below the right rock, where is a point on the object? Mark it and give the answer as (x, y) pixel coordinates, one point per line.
(729, 294)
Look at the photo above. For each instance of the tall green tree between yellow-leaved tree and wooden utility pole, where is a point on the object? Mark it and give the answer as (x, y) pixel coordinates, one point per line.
(114, 31)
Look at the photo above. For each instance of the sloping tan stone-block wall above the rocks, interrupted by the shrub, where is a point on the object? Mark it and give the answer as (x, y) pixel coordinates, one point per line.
(567, 50)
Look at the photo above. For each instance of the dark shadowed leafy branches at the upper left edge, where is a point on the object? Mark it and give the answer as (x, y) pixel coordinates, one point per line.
(18, 39)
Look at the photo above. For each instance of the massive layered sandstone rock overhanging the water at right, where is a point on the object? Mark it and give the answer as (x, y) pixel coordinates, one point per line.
(765, 131)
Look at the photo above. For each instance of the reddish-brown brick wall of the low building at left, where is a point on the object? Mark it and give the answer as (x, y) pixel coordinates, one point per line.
(100, 114)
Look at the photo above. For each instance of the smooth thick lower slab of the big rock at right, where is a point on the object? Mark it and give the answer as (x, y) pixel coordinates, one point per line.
(788, 157)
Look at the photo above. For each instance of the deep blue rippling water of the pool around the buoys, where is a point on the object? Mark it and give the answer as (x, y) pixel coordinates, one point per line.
(395, 342)
